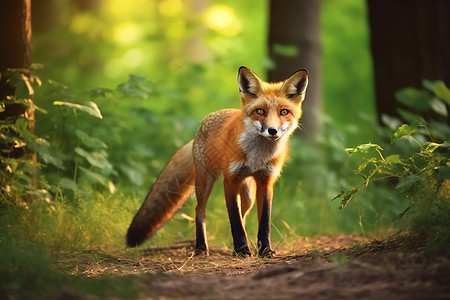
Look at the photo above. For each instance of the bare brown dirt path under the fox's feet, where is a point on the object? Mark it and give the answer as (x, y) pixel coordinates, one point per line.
(338, 267)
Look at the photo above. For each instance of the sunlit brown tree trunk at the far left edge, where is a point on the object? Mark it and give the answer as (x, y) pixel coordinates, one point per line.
(15, 53)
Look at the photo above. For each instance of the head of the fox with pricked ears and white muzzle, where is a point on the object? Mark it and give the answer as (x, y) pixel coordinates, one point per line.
(272, 109)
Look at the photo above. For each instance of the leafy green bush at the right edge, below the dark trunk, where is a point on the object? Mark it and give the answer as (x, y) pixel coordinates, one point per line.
(420, 175)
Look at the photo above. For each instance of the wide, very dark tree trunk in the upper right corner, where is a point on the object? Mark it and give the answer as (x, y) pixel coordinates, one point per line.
(410, 42)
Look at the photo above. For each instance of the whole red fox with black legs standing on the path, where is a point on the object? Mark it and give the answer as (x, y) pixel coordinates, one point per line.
(247, 146)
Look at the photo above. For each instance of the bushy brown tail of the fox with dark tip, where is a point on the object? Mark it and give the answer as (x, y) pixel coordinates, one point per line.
(170, 191)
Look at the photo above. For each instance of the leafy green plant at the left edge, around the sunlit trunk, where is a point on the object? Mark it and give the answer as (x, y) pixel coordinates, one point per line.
(17, 169)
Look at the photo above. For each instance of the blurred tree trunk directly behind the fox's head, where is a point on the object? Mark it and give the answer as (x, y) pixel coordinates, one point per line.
(294, 43)
